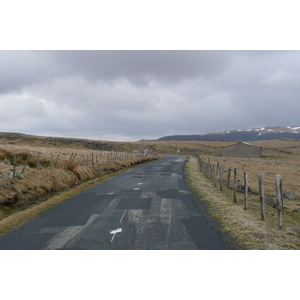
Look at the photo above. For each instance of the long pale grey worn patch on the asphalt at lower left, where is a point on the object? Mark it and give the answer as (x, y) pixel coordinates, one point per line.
(59, 240)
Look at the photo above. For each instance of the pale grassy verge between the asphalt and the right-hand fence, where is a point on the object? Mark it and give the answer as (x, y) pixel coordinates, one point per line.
(244, 225)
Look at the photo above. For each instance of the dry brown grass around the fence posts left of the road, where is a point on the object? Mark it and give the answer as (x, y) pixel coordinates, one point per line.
(40, 182)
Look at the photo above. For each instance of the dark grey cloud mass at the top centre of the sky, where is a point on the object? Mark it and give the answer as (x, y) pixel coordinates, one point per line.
(142, 66)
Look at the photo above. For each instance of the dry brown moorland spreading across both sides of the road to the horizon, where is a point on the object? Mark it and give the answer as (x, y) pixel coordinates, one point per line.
(279, 157)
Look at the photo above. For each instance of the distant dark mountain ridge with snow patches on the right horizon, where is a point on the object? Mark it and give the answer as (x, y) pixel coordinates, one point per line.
(251, 134)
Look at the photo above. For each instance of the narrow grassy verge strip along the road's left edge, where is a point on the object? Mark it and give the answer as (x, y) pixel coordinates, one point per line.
(18, 218)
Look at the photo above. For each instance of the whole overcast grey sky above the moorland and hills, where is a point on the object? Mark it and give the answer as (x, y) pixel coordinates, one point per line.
(132, 95)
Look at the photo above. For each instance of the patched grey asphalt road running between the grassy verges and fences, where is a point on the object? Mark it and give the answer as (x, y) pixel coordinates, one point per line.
(147, 207)
